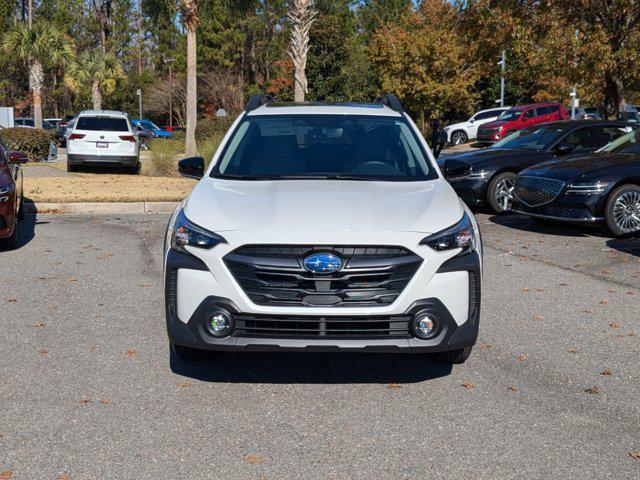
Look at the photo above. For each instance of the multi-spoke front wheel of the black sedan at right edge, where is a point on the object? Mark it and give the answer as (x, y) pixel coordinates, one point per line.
(622, 211)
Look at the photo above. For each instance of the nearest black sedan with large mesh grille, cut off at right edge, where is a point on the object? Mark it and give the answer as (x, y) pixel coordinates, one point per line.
(602, 187)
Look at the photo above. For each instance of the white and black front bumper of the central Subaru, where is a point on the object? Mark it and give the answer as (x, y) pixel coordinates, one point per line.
(187, 326)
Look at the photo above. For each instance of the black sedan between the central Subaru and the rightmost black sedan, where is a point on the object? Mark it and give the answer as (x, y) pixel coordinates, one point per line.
(487, 176)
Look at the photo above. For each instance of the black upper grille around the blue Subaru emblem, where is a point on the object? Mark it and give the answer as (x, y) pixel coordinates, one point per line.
(369, 276)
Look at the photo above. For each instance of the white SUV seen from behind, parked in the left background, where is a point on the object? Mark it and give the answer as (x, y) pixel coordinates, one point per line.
(104, 138)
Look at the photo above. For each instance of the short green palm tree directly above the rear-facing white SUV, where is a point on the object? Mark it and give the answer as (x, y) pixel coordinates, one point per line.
(98, 69)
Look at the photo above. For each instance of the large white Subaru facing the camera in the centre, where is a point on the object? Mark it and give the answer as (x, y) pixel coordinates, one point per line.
(322, 227)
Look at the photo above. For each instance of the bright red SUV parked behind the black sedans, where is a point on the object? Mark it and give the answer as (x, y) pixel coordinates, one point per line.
(519, 117)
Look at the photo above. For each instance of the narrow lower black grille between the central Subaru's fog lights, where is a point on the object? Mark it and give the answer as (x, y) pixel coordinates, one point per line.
(282, 326)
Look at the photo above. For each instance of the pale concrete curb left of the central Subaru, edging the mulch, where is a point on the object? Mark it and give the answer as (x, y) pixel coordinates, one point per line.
(102, 207)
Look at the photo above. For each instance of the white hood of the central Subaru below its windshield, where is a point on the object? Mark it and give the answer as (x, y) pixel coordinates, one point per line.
(323, 205)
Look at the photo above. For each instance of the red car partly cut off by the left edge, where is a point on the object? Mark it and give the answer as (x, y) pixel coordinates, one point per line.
(11, 199)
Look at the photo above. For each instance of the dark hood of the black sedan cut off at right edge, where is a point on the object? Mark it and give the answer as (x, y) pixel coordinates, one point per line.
(567, 169)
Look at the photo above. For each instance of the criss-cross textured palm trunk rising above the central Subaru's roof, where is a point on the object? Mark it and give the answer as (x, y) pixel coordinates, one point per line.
(301, 15)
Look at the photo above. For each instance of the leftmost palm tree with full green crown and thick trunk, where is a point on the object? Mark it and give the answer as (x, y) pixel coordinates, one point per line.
(38, 46)
